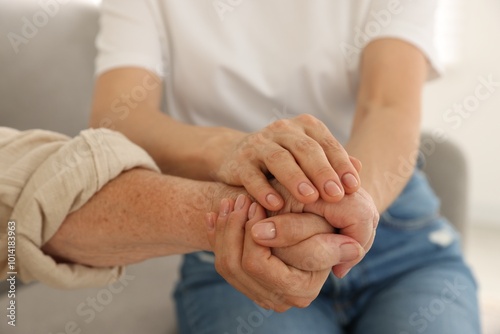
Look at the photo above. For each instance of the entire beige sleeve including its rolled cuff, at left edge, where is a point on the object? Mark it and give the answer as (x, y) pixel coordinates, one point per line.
(44, 176)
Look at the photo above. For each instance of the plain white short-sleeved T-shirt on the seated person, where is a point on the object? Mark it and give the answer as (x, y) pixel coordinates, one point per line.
(246, 63)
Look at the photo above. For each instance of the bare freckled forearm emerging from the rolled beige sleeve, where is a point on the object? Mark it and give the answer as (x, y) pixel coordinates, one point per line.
(138, 215)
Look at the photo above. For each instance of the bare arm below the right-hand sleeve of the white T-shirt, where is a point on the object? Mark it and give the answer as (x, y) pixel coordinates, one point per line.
(385, 134)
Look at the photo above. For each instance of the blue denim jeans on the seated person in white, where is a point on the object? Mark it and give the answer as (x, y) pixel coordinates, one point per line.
(413, 280)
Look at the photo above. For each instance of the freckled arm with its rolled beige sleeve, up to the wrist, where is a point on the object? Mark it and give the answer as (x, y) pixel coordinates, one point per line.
(85, 206)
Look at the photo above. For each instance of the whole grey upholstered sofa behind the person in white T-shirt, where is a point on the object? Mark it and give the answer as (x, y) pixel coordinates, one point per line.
(46, 59)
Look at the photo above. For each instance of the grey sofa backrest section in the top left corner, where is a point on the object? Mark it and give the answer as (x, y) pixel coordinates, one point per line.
(47, 72)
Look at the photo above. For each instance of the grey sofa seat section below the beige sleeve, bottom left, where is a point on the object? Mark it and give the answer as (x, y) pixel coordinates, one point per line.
(142, 303)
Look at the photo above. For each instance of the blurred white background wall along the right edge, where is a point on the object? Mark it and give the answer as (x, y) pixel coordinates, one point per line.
(469, 43)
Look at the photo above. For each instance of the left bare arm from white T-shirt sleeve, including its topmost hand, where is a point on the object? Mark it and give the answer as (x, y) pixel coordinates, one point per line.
(300, 153)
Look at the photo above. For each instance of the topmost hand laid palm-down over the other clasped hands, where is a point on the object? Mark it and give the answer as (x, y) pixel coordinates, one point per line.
(300, 153)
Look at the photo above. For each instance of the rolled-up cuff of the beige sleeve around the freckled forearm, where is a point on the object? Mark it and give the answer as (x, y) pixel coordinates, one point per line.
(63, 183)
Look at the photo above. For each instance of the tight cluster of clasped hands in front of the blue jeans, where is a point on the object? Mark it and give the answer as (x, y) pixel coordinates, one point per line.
(281, 258)
